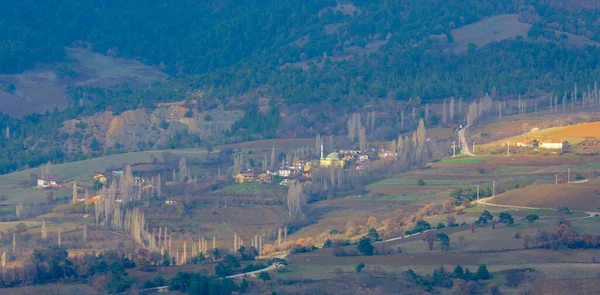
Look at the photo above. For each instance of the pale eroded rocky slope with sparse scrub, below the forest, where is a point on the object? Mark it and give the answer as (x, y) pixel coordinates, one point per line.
(143, 128)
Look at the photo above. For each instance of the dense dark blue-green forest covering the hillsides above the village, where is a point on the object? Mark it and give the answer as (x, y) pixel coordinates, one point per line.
(315, 54)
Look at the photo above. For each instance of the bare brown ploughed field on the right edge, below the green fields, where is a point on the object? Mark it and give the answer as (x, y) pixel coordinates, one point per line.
(581, 196)
